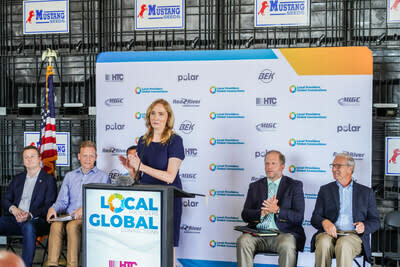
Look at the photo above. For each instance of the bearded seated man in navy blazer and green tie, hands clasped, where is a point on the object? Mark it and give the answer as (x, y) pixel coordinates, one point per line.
(273, 203)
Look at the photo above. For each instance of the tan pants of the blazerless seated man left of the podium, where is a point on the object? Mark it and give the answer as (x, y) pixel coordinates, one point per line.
(74, 235)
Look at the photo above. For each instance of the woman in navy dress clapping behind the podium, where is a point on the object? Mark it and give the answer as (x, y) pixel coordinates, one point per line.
(159, 155)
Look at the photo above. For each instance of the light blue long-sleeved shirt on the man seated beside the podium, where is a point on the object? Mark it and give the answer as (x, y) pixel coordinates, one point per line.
(70, 196)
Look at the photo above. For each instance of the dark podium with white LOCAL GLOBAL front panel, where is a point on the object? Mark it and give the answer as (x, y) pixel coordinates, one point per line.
(129, 225)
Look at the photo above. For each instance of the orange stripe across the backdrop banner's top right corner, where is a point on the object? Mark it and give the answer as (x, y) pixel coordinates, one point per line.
(330, 60)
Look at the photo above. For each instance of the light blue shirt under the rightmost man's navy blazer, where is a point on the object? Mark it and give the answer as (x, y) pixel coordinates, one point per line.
(345, 219)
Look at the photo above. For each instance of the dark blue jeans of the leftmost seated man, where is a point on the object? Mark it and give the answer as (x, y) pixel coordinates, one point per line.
(29, 231)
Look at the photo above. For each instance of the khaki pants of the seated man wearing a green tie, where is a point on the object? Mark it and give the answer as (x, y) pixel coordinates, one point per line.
(283, 244)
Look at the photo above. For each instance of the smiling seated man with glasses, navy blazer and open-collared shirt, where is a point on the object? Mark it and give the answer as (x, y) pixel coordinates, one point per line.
(345, 215)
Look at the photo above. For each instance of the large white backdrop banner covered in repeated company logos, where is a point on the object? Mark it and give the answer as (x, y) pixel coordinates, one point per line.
(231, 107)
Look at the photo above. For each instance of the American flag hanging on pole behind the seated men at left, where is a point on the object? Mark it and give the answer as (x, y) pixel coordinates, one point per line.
(48, 146)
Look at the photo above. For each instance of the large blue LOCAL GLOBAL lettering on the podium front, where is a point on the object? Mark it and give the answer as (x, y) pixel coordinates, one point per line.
(117, 203)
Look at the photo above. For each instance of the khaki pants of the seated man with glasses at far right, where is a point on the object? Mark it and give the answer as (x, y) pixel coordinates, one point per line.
(345, 248)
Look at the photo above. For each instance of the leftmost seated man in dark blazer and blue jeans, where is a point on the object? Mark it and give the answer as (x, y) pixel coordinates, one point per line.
(28, 197)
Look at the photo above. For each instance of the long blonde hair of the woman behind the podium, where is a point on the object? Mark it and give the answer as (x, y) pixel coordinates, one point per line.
(166, 135)
